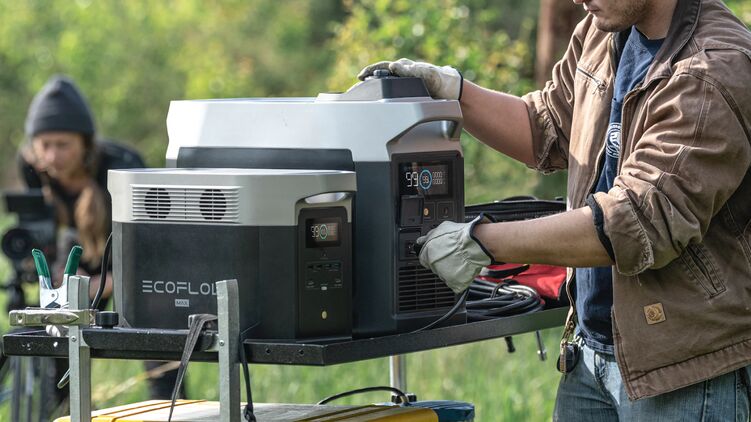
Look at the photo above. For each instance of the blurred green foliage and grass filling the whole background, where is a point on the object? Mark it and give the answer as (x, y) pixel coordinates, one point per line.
(132, 57)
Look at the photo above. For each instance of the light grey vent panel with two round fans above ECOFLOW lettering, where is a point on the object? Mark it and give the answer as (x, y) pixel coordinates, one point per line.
(193, 204)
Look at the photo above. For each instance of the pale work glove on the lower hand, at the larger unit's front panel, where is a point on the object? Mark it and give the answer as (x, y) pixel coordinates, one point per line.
(454, 254)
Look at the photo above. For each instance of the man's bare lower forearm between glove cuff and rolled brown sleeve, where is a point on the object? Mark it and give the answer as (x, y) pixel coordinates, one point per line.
(568, 239)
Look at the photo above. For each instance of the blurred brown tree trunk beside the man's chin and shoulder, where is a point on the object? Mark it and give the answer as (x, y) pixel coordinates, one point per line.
(557, 21)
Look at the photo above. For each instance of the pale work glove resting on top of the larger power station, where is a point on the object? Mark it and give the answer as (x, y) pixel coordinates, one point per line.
(442, 82)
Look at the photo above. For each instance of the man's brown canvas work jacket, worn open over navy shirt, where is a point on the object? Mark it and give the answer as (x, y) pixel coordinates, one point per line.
(679, 215)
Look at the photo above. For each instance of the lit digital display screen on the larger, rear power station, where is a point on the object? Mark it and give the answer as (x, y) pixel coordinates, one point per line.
(429, 179)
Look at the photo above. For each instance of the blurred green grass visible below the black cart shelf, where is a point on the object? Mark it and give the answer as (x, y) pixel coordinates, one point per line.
(502, 386)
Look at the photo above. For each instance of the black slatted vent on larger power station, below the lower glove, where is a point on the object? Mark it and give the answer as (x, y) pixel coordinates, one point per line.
(421, 290)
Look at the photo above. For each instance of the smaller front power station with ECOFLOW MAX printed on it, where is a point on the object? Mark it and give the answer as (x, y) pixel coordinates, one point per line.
(285, 235)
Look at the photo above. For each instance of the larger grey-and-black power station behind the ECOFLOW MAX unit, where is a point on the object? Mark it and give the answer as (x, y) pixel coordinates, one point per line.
(403, 146)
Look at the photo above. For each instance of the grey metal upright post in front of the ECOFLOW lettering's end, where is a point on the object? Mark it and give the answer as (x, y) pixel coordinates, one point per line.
(229, 335)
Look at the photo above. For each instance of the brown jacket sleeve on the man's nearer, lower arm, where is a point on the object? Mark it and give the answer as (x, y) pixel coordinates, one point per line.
(692, 156)
